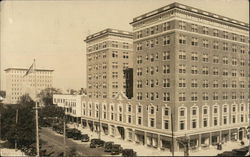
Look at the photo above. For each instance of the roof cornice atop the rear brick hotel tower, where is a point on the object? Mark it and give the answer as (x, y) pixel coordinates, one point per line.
(109, 31)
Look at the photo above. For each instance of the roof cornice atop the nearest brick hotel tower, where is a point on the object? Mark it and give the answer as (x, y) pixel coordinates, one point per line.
(190, 9)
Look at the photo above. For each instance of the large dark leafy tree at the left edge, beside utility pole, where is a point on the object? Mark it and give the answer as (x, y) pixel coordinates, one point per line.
(23, 132)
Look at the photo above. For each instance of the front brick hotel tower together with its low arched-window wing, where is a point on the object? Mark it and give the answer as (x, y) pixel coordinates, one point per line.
(190, 79)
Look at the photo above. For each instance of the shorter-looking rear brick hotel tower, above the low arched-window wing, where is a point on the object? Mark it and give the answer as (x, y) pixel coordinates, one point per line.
(108, 53)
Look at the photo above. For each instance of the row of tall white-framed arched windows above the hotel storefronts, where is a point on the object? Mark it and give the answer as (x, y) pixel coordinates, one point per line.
(118, 114)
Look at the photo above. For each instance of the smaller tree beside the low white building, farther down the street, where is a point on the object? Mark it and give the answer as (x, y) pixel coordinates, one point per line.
(46, 95)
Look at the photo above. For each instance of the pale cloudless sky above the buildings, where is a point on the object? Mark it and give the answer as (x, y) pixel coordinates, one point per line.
(53, 32)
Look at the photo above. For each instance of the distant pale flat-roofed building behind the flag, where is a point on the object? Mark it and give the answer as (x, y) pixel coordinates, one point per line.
(17, 85)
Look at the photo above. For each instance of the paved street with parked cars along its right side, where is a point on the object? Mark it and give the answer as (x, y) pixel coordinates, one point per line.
(55, 142)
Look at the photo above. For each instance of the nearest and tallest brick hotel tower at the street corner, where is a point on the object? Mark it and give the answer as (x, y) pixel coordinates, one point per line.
(194, 64)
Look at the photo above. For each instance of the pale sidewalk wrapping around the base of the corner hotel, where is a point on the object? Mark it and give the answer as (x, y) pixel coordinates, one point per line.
(147, 151)
